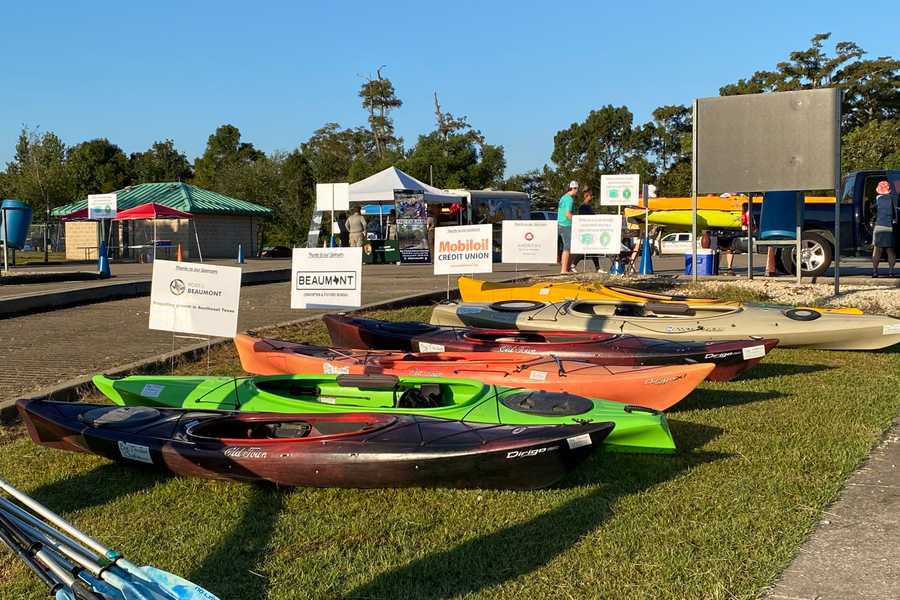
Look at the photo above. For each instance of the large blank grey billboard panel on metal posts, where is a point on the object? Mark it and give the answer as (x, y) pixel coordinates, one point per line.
(768, 142)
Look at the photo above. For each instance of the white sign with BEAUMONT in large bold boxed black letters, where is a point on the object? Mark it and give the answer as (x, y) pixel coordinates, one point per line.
(326, 278)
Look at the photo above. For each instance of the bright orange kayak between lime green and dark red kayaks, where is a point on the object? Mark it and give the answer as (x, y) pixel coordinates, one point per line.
(657, 387)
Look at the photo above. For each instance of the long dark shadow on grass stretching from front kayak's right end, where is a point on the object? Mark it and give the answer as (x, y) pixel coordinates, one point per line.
(491, 560)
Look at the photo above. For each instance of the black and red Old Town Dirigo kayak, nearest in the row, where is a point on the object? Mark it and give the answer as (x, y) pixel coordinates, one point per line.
(355, 450)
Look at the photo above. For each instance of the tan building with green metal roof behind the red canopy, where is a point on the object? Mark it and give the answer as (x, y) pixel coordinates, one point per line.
(221, 222)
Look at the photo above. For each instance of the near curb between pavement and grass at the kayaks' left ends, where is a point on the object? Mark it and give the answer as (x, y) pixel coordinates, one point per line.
(74, 389)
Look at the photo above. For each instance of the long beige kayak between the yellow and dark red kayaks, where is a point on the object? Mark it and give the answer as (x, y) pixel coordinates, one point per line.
(792, 327)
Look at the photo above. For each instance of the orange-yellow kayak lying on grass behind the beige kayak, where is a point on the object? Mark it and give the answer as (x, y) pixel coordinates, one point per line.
(476, 290)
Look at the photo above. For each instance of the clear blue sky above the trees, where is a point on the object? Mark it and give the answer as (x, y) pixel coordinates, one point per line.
(136, 72)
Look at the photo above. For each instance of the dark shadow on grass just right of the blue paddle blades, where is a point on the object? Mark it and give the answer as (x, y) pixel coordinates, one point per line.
(229, 567)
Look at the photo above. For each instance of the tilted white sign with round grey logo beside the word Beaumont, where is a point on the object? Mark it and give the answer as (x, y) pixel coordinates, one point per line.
(200, 299)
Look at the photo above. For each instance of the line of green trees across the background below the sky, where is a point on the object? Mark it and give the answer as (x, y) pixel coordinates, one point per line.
(454, 154)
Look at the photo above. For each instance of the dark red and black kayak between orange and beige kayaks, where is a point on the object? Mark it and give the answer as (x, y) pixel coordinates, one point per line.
(731, 357)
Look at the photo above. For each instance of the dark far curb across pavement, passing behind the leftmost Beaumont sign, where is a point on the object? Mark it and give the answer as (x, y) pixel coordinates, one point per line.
(43, 302)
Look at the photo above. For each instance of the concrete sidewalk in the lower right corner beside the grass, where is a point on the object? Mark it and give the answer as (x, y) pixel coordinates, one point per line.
(854, 551)
